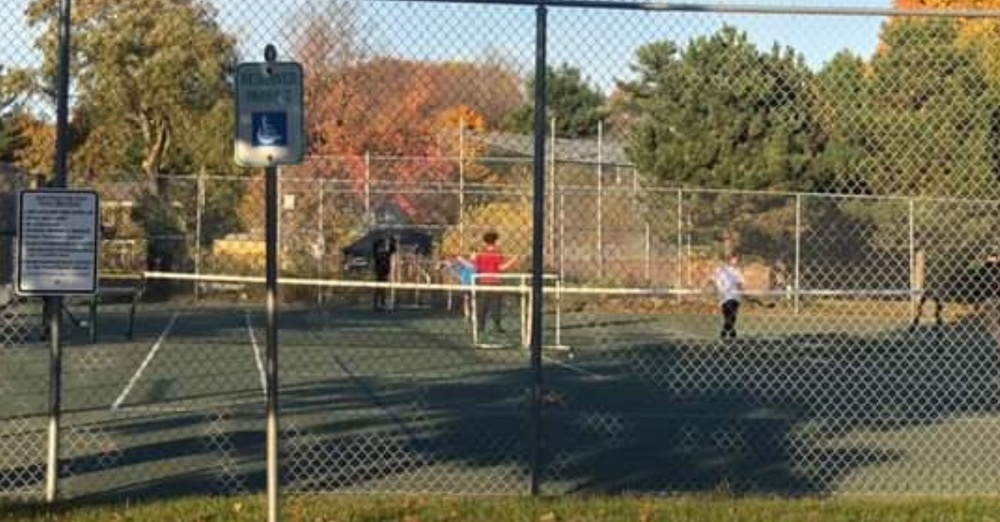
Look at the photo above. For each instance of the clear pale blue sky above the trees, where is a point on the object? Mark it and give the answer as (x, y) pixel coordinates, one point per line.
(602, 43)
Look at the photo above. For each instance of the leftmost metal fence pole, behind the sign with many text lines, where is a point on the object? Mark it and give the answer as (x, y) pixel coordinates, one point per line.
(54, 304)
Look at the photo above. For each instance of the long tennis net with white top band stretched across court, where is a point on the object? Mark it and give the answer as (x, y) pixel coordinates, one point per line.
(582, 309)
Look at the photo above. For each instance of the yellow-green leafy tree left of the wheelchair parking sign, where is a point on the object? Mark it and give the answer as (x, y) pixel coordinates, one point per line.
(149, 76)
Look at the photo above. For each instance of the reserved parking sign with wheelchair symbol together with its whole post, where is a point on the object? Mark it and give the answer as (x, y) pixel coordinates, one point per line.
(269, 132)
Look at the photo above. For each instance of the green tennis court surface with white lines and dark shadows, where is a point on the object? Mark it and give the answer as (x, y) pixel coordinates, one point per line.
(404, 401)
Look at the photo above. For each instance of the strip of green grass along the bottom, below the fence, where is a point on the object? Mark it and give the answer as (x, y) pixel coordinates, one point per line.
(503, 509)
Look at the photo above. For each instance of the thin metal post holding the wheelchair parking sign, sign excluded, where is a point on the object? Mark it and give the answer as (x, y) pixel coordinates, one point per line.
(271, 349)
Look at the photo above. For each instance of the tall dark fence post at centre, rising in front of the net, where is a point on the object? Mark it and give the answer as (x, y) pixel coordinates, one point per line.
(538, 250)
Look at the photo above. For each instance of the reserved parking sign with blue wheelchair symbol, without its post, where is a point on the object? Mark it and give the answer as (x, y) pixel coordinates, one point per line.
(269, 114)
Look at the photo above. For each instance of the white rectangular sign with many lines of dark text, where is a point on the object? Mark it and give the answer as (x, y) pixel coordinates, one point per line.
(58, 238)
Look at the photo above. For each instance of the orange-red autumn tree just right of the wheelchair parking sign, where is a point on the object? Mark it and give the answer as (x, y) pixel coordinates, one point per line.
(391, 123)
